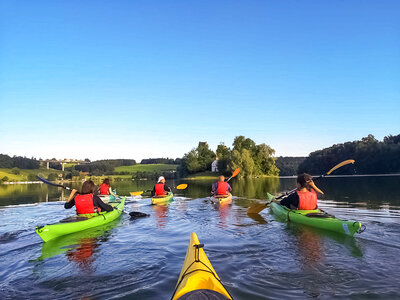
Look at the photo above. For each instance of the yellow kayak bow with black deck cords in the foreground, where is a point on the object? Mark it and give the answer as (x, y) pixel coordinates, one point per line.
(198, 279)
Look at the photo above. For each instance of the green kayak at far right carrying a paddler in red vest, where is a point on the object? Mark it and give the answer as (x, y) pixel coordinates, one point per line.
(316, 218)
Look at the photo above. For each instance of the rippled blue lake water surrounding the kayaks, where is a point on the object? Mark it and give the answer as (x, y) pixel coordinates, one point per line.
(256, 258)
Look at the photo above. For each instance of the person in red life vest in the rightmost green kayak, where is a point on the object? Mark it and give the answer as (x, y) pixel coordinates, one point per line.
(305, 198)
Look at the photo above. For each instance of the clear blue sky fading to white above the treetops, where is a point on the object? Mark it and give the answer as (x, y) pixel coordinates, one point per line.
(138, 79)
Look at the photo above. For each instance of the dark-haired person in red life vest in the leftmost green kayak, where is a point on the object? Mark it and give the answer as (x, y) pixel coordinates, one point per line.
(85, 202)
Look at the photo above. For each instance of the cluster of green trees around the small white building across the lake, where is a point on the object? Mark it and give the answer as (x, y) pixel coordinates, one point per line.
(253, 159)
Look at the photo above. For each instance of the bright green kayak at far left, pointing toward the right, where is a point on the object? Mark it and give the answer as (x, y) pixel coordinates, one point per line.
(79, 223)
